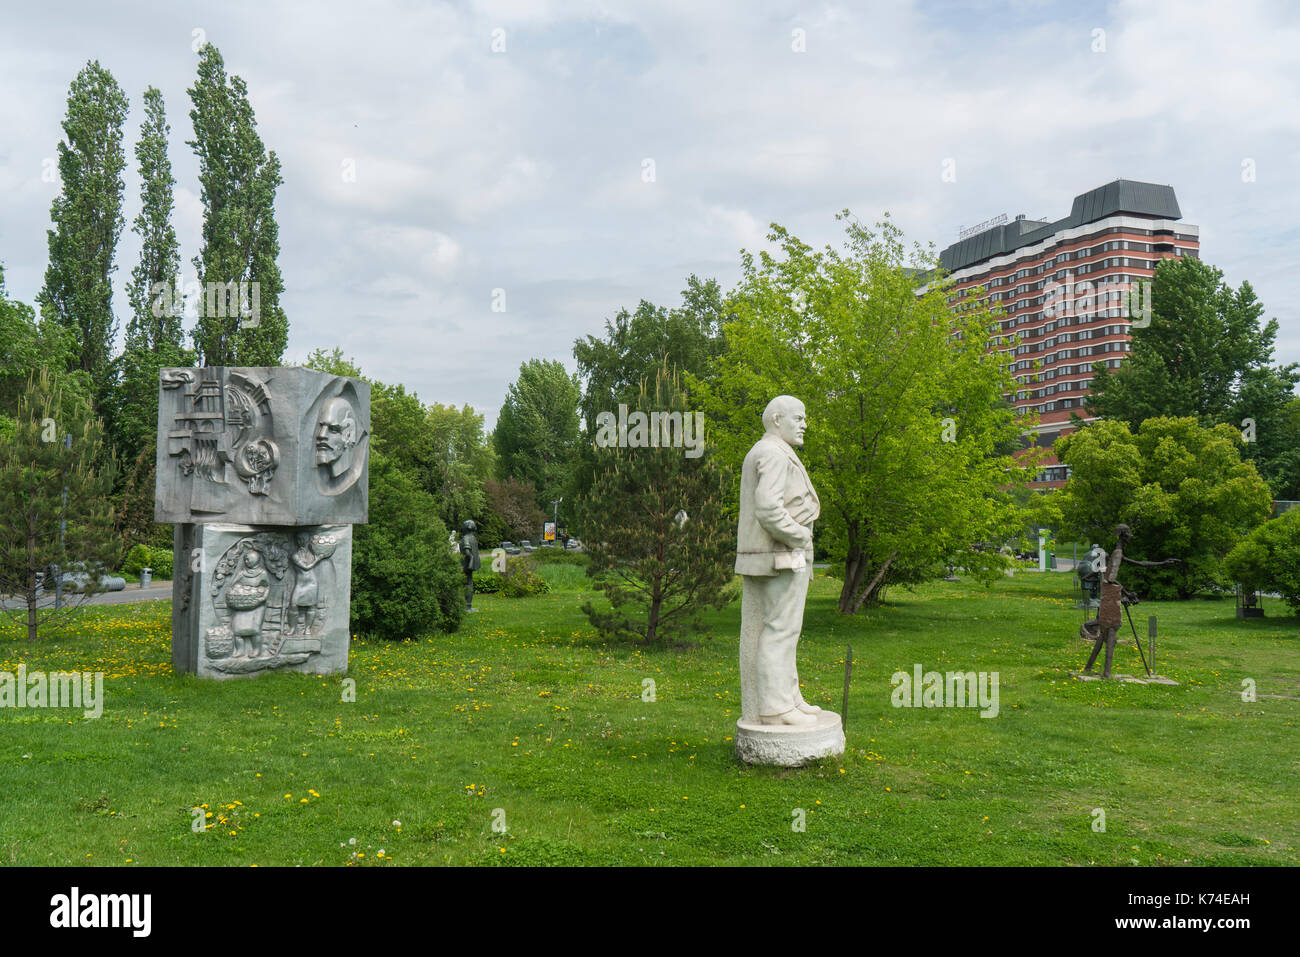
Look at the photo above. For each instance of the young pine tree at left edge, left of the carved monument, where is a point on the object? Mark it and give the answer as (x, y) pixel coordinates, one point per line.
(51, 473)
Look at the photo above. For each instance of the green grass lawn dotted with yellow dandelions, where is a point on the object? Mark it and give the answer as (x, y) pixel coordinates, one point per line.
(527, 717)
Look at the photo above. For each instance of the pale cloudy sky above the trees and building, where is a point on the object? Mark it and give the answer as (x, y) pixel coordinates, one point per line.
(436, 153)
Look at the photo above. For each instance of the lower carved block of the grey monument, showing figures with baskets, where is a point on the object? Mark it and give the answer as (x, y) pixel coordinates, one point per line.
(255, 599)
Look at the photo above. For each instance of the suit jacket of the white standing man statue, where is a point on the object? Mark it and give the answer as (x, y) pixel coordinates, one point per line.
(777, 499)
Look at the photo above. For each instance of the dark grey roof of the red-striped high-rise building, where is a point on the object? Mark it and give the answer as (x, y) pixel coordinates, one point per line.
(1119, 197)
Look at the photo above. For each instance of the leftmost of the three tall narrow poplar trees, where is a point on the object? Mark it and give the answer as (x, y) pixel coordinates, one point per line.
(88, 222)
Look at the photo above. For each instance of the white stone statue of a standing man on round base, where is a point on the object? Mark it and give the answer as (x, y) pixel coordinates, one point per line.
(774, 556)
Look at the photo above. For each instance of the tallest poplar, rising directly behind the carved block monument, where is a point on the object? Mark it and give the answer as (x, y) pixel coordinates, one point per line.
(241, 239)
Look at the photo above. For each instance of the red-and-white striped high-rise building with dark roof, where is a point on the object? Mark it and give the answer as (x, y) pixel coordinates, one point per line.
(1071, 292)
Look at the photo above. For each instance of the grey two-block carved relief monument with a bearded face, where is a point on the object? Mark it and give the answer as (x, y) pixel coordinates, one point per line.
(263, 471)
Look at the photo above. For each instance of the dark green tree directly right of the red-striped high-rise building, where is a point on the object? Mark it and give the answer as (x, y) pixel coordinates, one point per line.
(1208, 354)
